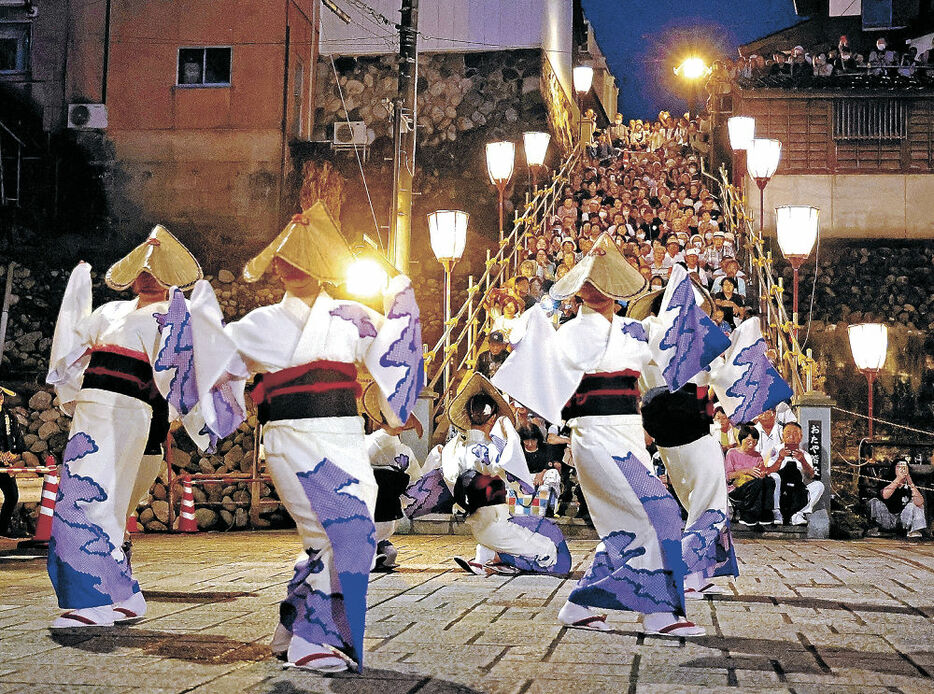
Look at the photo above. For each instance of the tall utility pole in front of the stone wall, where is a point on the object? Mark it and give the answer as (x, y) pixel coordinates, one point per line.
(403, 138)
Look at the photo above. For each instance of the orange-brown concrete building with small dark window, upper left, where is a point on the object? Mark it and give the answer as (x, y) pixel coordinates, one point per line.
(186, 109)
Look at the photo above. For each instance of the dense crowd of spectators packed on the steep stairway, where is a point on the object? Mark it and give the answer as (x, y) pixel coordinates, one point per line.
(640, 183)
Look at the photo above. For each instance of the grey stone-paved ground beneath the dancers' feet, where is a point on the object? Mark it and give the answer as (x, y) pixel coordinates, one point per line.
(815, 616)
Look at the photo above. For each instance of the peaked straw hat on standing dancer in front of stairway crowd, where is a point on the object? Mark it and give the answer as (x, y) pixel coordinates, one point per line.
(605, 267)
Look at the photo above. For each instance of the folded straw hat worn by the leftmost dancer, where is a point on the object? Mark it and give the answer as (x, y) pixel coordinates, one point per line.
(161, 255)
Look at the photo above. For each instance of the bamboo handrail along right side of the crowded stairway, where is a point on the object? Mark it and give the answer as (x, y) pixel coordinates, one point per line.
(777, 327)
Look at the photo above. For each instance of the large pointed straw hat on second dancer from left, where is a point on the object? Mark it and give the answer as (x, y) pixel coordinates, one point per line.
(311, 242)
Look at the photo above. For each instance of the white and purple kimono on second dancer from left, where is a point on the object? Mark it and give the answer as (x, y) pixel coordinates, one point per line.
(320, 465)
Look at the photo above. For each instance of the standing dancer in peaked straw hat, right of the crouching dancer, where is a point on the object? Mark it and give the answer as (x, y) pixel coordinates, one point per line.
(595, 361)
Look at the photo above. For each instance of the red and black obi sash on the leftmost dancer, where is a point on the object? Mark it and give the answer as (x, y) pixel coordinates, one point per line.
(124, 371)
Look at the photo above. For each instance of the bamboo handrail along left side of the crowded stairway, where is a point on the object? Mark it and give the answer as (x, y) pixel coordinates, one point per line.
(462, 328)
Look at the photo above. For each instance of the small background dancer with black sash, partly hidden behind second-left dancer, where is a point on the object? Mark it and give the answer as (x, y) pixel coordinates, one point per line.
(395, 468)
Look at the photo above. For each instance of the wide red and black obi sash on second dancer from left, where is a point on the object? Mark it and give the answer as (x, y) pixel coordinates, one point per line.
(316, 389)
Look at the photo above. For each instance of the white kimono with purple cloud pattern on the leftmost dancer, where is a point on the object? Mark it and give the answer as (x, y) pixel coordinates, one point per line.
(104, 470)
